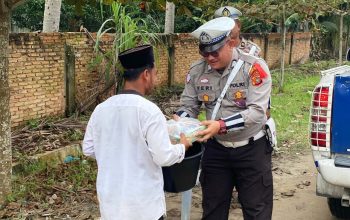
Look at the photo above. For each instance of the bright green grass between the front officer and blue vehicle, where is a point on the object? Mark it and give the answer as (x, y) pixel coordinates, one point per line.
(290, 109)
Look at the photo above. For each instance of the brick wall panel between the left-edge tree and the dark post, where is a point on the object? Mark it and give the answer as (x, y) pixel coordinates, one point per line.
(36, 76)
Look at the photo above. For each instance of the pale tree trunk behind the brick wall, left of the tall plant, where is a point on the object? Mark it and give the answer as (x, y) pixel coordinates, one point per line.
(52, 14)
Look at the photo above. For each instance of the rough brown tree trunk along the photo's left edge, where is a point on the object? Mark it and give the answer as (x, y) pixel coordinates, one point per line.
(5, 128)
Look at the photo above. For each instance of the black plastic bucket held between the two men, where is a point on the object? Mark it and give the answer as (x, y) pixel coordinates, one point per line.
(182, 176)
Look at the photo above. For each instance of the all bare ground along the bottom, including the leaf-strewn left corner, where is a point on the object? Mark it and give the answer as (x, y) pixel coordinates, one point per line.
(294, 198)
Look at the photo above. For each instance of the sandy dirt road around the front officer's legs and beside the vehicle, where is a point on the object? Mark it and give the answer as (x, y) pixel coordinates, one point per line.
(294, 193)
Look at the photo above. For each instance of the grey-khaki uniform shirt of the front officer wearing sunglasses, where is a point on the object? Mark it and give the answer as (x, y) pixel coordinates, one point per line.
(244, 105)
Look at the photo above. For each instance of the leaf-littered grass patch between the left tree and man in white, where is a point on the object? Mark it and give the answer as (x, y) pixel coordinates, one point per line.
(36, 180)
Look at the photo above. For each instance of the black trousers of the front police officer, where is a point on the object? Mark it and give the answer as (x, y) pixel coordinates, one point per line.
(248, 168)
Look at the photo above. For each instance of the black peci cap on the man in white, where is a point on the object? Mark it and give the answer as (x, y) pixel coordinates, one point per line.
(137, 57)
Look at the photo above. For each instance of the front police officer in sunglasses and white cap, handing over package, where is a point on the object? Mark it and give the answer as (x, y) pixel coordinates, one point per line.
(237, 153)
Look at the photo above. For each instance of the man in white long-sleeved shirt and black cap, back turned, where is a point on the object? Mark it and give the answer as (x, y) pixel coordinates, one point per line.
(128, 136)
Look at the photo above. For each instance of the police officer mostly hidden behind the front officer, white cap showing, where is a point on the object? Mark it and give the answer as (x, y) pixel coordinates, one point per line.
(243, 44)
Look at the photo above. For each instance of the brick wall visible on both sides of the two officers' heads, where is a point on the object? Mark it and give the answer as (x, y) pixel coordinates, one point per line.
(186, 50)
